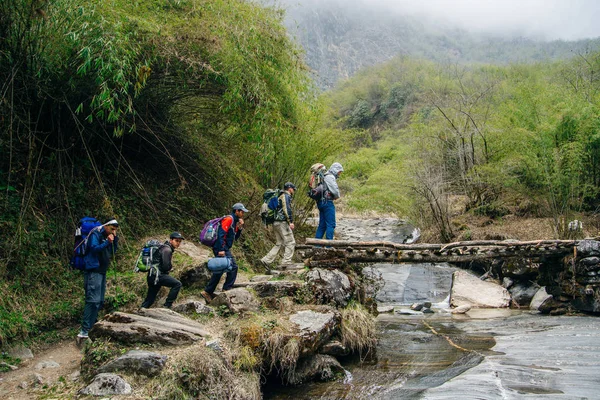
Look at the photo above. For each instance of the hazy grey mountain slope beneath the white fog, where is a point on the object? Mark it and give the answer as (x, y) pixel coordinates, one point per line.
(341, 40)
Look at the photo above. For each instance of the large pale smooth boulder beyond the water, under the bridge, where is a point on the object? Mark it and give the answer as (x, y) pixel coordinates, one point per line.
(468, 289)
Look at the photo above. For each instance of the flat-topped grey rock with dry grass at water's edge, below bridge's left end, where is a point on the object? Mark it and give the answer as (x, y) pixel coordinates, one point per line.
(315, 328)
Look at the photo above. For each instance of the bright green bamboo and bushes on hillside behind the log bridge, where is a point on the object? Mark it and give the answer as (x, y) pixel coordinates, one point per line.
(521, 140)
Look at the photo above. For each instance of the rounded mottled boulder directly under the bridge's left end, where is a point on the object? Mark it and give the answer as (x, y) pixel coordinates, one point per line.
(329, 286)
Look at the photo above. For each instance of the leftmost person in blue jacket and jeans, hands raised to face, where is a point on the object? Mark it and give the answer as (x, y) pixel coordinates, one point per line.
(101, 246)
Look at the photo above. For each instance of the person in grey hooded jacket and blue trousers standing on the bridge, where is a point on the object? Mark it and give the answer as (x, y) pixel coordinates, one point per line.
(330, 192)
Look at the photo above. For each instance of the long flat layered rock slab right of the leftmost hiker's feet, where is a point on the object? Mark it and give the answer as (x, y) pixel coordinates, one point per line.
(157, 326)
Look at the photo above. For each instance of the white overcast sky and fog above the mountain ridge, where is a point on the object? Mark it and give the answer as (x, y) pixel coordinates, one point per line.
(542, 19)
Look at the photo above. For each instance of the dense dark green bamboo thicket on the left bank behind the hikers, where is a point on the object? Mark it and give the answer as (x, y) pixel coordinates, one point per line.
(159, 113)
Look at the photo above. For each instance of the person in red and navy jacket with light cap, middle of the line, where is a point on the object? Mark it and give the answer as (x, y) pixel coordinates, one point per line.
(230, 229)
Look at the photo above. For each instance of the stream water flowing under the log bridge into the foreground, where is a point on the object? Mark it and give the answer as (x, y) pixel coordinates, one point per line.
(484, 354)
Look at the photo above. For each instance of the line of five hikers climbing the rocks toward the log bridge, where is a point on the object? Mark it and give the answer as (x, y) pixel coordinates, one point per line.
(102, 244)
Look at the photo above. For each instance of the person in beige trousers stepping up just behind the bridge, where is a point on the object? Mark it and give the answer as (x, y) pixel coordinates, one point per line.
(283, 226)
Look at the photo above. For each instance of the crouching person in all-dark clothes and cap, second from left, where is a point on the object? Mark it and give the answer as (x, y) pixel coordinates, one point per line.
(159, 278)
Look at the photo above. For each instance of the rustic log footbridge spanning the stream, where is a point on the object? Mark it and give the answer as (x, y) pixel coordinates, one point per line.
(324, 253)
